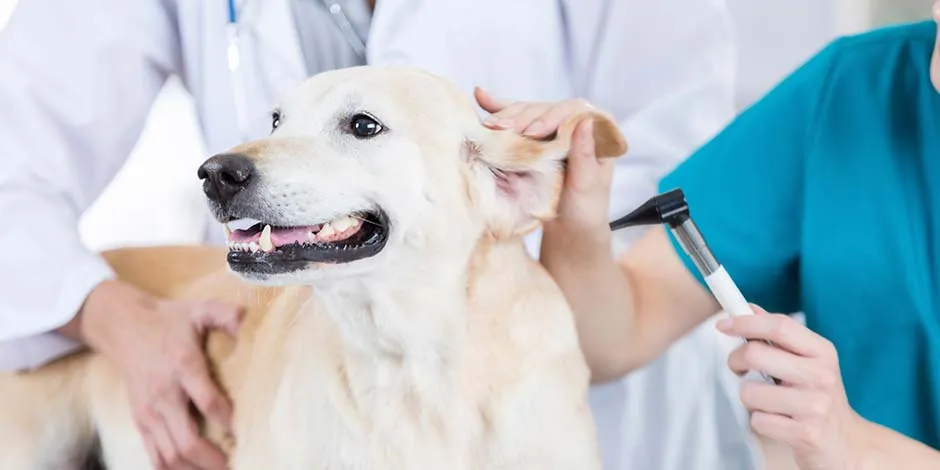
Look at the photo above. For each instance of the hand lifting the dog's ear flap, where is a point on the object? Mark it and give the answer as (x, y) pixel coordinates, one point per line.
(585, 198)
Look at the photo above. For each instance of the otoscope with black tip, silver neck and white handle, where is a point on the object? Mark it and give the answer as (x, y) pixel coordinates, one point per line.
(670, 208)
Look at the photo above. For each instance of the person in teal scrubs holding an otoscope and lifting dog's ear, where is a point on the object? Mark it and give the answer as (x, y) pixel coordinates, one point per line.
(824, 198)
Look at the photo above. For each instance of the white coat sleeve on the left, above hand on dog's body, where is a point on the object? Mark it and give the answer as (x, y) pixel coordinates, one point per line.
(77, 81)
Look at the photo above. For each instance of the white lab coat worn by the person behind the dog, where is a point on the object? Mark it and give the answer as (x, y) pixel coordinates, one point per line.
(77, 79)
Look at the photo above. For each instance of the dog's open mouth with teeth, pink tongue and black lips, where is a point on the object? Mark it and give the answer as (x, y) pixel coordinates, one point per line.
(262, 248)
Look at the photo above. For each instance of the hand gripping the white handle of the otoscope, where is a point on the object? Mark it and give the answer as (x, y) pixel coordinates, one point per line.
(808, 411)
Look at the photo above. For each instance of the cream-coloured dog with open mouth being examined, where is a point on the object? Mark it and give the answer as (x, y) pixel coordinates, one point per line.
(393, 318)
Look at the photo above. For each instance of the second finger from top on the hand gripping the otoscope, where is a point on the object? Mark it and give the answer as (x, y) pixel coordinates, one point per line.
(794, 370)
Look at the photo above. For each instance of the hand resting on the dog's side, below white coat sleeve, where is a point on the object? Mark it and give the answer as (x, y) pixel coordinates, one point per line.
(158, 346)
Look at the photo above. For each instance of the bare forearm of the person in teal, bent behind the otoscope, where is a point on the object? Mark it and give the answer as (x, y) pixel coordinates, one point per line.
(628, 308)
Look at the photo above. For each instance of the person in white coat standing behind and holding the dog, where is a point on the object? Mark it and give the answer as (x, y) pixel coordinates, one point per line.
(77, 80)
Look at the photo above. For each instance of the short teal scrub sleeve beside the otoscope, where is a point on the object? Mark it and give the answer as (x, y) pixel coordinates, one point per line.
(744, 188)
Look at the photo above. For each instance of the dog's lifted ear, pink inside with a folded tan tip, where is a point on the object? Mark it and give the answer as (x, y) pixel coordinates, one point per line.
(520, 179)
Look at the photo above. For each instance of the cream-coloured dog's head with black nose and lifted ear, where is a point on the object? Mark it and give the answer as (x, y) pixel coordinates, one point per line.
(375, 166)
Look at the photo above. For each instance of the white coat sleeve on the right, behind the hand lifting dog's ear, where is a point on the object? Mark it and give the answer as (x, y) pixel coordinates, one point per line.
(666, 69)
